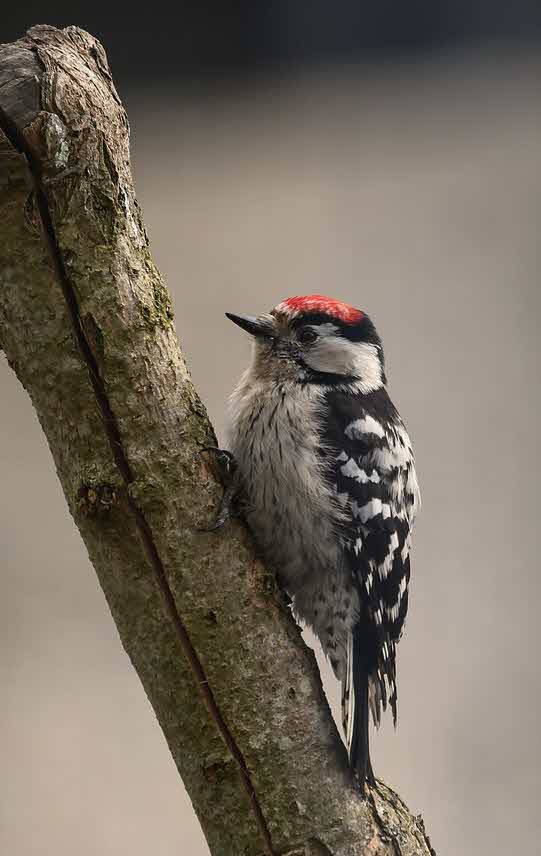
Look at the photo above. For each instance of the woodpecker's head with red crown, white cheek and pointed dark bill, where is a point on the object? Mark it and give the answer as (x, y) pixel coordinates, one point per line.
(315, 339)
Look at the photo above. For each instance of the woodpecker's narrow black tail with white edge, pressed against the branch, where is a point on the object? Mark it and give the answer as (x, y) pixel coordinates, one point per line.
(355, 706)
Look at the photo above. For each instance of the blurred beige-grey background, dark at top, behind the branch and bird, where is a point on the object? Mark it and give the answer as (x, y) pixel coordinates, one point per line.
(388, 154)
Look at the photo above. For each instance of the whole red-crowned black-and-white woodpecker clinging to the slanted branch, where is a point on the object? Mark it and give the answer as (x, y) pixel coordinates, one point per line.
(324, 468)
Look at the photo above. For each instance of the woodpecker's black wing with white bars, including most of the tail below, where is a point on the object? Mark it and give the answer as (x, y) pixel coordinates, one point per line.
(373, 474)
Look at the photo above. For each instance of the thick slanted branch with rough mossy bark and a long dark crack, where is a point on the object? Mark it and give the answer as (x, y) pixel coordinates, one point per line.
(87, 325)
